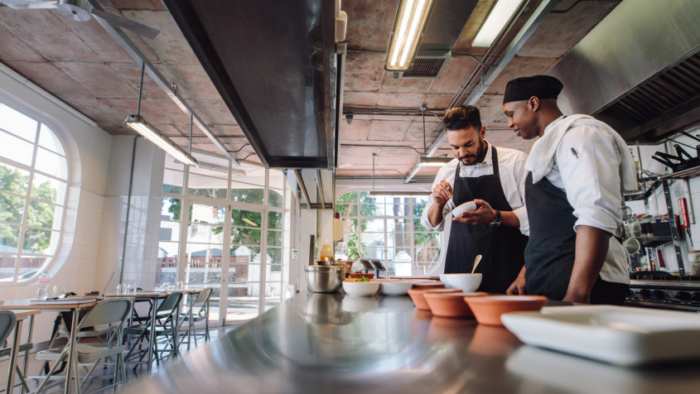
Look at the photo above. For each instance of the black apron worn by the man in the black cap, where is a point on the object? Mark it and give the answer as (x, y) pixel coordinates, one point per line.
(550, 254)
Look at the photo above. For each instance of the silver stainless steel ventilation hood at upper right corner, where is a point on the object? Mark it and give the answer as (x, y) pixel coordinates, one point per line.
(638, 69)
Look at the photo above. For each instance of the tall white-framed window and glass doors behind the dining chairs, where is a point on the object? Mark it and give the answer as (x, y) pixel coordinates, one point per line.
(247, 269)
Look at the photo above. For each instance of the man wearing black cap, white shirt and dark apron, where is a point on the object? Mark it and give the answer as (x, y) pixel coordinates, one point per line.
(577, 171)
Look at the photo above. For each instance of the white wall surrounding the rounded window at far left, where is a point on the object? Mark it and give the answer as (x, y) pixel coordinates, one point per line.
(88, 149)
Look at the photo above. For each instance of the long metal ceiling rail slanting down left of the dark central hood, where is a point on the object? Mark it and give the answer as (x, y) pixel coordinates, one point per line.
(125, 42)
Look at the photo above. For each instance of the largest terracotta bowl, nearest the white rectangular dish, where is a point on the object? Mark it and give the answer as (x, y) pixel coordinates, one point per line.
(488, 310)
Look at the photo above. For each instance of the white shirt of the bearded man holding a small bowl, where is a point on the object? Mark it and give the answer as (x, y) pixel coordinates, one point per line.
(512, 173)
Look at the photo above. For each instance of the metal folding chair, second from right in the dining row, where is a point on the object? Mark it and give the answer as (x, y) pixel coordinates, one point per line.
(165, 325)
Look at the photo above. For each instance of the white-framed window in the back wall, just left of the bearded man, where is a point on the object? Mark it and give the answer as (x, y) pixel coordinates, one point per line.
(388, 229)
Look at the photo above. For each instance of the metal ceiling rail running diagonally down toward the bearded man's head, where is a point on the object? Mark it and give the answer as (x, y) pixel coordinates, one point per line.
(487, 79)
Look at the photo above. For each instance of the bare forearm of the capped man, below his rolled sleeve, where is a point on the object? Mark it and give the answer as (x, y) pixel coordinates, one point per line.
(591, 250)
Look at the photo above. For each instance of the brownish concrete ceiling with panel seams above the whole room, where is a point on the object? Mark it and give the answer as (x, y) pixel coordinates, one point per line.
(82, 65)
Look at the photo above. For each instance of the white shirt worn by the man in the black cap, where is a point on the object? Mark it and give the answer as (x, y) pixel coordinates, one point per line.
(587, 169)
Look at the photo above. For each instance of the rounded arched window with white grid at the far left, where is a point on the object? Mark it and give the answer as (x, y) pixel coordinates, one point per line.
(33, 185)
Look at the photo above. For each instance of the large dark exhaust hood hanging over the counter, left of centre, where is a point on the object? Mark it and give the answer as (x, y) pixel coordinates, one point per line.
(275, 65)
